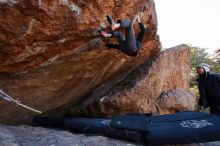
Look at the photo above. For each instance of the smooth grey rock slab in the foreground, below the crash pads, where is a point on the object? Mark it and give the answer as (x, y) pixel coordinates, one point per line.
(36, 136)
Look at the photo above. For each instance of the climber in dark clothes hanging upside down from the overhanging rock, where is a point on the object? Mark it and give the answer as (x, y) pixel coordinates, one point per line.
(128, 43)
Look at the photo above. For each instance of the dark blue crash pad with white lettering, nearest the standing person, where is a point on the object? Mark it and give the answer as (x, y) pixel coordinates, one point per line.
(192, 128)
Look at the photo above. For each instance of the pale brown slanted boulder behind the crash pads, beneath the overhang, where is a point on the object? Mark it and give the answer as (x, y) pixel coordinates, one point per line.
(139, 91)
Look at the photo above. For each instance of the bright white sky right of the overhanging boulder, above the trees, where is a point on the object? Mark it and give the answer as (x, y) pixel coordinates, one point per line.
(194, 22)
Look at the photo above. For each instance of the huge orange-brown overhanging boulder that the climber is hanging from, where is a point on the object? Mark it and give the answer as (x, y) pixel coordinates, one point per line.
(51, 57)
